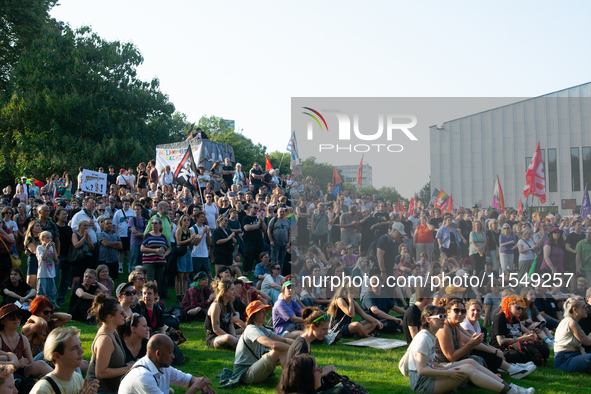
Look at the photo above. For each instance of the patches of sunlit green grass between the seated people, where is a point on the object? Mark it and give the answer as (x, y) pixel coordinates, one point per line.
(376, 370)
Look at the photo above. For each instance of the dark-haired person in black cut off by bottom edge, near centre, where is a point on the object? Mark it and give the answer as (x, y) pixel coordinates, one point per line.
(303, 375)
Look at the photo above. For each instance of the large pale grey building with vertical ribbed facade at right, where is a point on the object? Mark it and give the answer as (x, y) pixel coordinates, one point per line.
(468, 153)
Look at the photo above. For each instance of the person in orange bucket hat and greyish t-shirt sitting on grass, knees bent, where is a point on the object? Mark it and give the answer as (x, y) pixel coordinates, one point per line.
(251, 364)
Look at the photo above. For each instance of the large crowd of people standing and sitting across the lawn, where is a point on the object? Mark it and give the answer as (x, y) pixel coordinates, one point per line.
(254, 256)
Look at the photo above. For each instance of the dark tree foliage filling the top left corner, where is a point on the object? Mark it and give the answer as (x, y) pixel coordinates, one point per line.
(21, 22)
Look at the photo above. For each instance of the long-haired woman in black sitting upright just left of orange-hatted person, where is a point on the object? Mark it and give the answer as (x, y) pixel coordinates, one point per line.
(219, 326)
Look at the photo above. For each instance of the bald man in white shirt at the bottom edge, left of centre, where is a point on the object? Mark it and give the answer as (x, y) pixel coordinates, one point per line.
(157, 363)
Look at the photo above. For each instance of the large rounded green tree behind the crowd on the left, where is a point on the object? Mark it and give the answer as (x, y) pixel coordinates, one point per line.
(77, 101)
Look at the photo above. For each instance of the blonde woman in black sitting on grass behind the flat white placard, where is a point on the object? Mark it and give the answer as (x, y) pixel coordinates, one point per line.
(343, 310)
